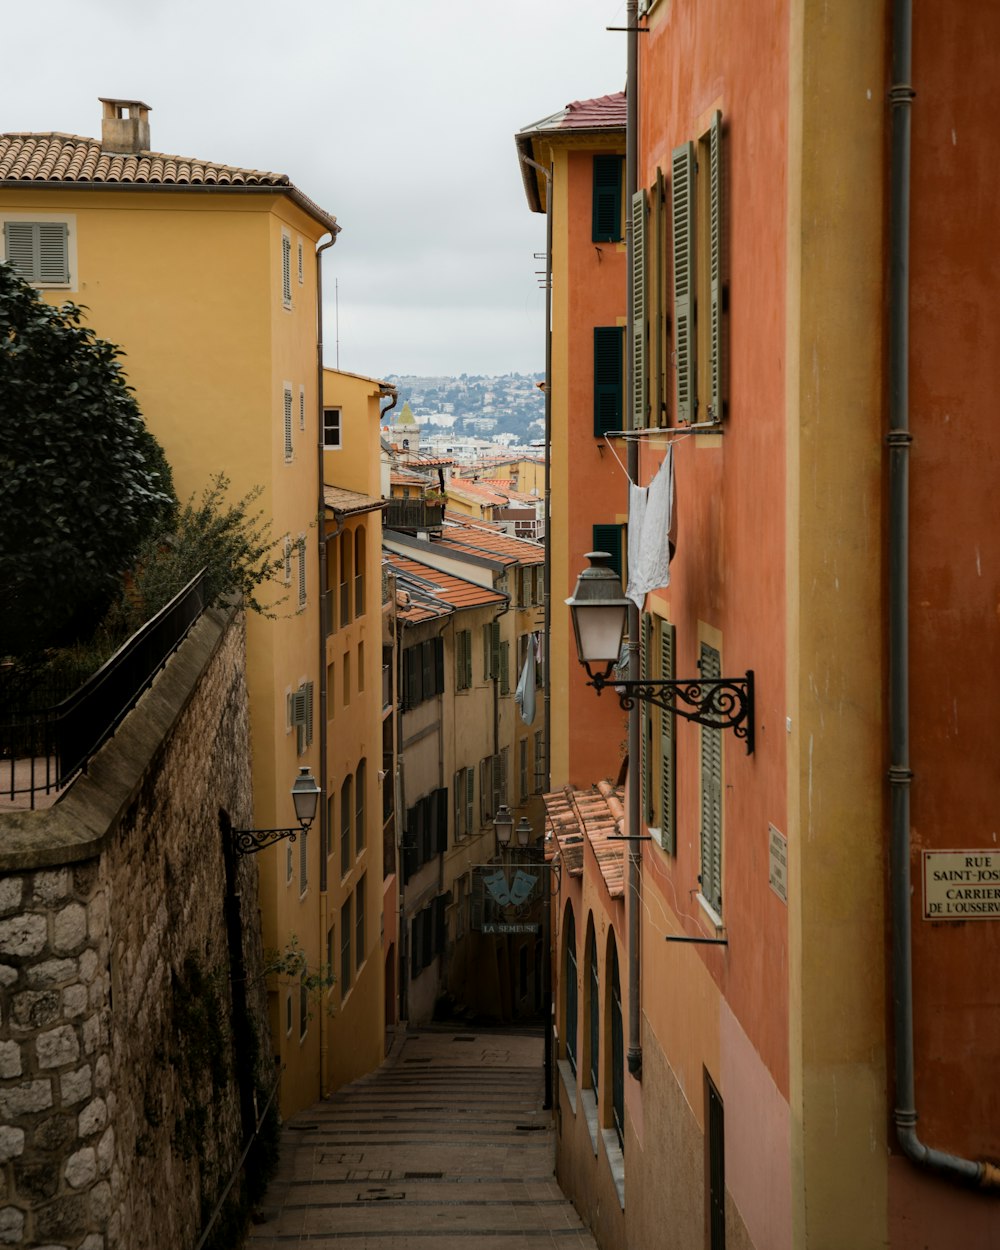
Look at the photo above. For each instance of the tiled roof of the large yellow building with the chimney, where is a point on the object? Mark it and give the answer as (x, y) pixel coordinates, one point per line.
(58, 159)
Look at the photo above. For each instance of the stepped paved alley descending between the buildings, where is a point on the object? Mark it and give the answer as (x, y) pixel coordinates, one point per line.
(444, 1147)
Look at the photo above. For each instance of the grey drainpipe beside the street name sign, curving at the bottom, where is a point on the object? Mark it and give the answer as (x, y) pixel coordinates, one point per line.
(899, 439)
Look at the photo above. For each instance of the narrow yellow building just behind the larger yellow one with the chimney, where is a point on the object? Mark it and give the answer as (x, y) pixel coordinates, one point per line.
(357, 881)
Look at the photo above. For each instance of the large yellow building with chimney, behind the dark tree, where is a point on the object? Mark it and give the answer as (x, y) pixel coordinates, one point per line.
(207, 276)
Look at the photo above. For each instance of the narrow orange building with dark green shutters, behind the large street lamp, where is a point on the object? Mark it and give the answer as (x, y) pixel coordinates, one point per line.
(583, 149)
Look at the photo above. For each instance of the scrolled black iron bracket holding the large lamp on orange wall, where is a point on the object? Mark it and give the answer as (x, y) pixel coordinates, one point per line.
(717, 703)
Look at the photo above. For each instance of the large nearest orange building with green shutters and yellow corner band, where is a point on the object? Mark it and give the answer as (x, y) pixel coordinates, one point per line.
(816, 1046)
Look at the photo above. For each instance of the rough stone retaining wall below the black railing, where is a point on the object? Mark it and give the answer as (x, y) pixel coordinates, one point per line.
(131, 963)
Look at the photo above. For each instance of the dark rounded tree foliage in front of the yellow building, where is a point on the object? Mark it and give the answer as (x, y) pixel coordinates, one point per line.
(83, 483)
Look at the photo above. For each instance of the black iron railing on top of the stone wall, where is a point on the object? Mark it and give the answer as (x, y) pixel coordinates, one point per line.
(41, 751)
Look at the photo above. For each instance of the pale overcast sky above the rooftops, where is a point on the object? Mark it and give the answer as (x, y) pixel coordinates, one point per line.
(398, 118)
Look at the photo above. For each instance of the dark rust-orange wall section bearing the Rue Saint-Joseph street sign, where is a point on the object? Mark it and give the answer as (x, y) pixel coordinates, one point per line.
(954, 566)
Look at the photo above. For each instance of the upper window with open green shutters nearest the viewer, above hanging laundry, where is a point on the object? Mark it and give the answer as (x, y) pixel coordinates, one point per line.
(699, 281)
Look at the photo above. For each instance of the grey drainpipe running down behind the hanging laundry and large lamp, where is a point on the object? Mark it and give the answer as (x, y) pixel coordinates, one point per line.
(636, 763)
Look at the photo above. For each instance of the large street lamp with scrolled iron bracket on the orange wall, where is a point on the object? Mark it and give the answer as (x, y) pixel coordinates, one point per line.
(599, 613)
